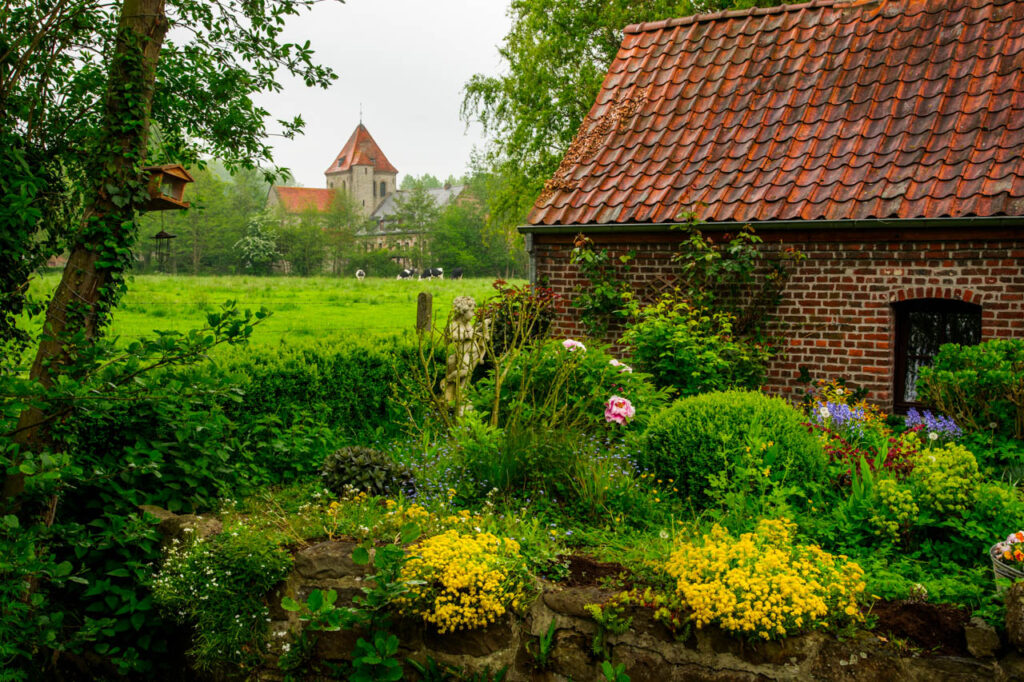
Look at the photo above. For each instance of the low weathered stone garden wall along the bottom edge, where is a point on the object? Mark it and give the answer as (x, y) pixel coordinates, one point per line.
(650, 652)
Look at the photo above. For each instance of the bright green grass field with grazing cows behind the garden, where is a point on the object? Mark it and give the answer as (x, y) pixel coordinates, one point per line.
(304, 308)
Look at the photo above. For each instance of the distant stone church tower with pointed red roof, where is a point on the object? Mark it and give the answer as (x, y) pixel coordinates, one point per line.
(362, 170)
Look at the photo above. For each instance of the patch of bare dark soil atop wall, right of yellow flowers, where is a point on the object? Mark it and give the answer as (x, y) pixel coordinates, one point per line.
(937, 629)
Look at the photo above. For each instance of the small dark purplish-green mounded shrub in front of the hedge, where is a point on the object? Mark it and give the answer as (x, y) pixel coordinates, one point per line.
(367, 471)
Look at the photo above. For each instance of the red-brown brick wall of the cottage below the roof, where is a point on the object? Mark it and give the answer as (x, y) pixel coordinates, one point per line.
(838, 306)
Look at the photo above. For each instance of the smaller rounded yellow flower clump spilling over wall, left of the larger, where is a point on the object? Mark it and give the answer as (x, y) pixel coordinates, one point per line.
(463, 581)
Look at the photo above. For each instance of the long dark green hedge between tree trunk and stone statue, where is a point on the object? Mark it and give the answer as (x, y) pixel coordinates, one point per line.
(267, 416)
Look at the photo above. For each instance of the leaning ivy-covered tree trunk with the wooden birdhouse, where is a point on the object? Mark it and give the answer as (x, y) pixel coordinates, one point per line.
(103, 250)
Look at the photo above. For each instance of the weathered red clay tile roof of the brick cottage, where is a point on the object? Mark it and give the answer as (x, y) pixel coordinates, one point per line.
(823, 111)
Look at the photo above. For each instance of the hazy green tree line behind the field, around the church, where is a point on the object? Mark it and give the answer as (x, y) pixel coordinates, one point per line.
(228, 231)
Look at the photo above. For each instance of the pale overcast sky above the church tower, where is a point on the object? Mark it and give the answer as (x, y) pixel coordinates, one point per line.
(407, 63)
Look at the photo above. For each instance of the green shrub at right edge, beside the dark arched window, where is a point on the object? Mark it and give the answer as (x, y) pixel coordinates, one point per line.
(982, 388)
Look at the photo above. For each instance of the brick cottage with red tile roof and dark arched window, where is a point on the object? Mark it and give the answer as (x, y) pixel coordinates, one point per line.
(883, 140)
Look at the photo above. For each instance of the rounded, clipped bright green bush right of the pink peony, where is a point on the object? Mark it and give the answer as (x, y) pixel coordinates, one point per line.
(700, 437)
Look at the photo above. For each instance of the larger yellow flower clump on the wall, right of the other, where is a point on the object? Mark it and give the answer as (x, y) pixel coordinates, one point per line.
(763, 584)
